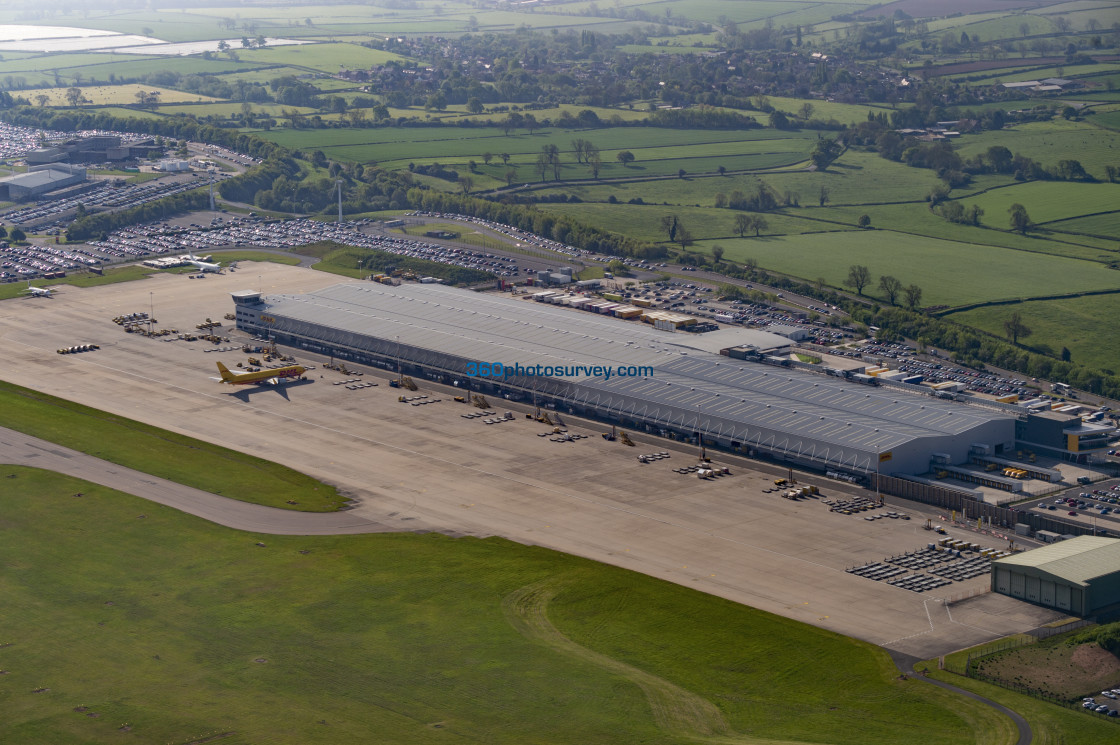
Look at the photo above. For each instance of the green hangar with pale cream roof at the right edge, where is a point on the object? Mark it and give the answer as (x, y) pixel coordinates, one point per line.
(1080, 575)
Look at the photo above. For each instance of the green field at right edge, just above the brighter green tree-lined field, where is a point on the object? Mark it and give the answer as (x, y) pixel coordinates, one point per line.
(1052, 142)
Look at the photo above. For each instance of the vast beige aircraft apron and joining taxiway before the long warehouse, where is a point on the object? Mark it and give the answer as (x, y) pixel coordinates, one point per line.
(427, 468)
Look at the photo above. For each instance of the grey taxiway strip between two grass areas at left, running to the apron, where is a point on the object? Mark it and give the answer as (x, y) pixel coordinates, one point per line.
(25, 451)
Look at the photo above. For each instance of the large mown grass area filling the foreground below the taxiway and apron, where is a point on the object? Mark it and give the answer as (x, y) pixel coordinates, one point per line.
(416, 638)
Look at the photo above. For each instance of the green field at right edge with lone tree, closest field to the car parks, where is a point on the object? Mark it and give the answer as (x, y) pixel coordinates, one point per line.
(1075, 323)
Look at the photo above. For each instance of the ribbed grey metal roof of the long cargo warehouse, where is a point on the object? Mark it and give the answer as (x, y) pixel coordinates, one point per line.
(697, 384)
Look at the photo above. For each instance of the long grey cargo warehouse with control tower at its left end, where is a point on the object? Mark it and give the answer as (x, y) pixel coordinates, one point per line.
(661, 383)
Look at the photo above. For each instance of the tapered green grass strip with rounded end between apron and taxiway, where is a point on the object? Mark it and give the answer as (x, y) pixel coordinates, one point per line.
(162, 453)
